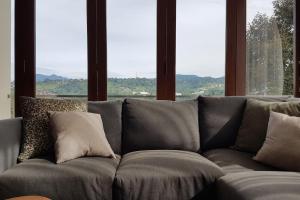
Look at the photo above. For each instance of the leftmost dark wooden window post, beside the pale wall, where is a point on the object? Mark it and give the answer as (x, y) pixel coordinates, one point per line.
(24, 51)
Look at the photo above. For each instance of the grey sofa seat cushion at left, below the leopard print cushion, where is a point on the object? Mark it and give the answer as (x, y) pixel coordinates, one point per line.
(83, 178)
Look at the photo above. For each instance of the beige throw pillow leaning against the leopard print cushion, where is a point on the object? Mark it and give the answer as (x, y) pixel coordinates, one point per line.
(78, 134)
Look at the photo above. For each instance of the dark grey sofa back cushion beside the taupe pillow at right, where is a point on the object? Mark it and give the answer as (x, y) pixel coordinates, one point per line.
(219, 120)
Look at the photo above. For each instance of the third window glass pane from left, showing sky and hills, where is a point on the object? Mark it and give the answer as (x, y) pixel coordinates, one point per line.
(200, 64)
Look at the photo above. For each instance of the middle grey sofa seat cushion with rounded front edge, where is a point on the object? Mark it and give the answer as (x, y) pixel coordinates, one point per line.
(164, 175)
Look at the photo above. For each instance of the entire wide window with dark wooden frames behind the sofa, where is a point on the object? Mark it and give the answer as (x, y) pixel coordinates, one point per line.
(132, 65)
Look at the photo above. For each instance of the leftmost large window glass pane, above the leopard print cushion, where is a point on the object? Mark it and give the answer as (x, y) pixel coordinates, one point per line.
(61, 48)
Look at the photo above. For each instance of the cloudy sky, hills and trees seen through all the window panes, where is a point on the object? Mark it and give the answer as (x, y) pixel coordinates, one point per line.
(61, 48)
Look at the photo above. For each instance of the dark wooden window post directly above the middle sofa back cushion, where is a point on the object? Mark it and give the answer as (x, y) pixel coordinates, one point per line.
(166, 49)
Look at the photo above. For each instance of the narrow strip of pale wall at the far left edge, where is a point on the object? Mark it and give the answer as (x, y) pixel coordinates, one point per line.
(5, 53)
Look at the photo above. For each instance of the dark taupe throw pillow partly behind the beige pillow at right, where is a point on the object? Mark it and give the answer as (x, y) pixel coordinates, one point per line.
(253, 130)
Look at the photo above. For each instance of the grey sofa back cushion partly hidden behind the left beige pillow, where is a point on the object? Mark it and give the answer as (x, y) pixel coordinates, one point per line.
(111, 114)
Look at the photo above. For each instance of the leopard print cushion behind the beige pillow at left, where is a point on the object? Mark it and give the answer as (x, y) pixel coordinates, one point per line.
(36, 140)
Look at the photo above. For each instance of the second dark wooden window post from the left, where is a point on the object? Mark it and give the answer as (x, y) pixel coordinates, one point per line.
(97, 50)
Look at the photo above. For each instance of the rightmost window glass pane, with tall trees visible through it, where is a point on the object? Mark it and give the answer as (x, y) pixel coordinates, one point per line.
(270, 47)
